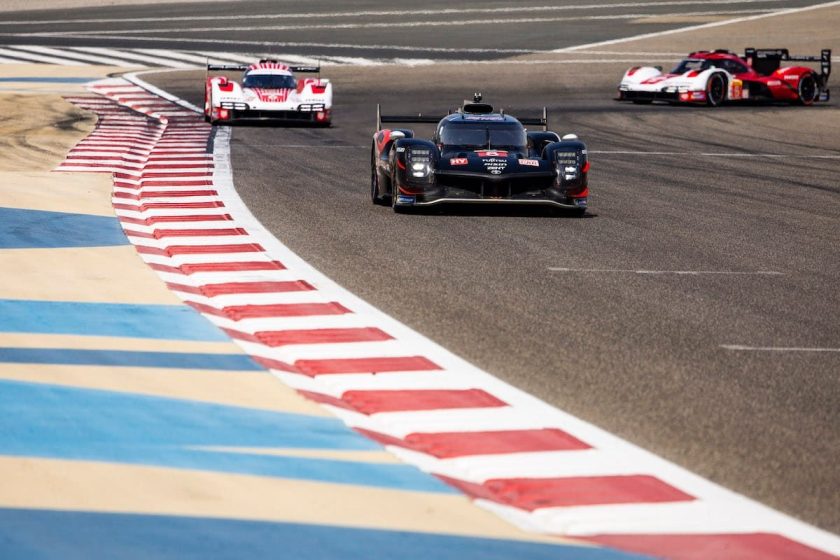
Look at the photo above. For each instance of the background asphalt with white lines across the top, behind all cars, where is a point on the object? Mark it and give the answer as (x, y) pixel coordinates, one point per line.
(369, 28)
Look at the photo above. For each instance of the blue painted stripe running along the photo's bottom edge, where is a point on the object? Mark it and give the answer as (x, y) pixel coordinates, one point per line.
(84, 535)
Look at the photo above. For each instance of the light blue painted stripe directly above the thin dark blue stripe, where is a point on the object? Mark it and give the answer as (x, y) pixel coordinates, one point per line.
(176, 322)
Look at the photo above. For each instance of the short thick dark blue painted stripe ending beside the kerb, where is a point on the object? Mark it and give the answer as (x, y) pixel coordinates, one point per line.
(38, 229)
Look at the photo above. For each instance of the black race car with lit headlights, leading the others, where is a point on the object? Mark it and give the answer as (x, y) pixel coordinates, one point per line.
(477, 155)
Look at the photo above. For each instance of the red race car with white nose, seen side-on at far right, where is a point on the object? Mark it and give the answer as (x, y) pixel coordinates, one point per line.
(715, 77)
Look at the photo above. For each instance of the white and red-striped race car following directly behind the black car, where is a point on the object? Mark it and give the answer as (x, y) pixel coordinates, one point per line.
(269, 92)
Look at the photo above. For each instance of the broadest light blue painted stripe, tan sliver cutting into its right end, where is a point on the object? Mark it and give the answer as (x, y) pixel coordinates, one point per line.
(50, 421)
